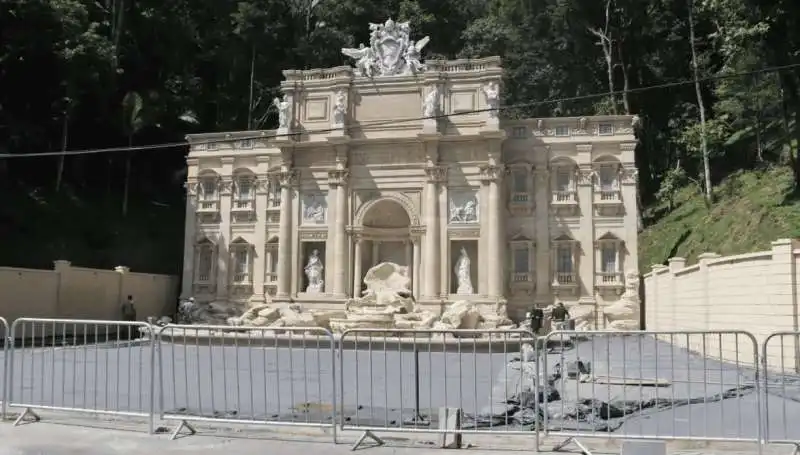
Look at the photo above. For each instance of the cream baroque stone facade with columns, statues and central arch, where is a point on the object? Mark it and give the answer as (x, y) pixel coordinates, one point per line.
(399, 161)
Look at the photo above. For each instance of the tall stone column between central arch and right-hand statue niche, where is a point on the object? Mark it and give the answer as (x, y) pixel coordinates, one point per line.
(432, 244)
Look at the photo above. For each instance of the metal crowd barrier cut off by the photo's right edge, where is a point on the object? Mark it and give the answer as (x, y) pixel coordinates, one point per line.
(780, 355)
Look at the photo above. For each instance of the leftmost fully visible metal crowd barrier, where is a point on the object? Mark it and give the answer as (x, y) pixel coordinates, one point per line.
(84, 366)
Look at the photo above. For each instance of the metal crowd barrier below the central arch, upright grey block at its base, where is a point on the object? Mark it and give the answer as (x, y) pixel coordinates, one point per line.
(437, 381)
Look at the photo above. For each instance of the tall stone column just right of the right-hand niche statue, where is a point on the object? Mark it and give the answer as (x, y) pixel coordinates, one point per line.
(492, 174)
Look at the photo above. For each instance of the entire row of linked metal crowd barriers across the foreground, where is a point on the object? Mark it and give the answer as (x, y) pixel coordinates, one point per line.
(575, 385)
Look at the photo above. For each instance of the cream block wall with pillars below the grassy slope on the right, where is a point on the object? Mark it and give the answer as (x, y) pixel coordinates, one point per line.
(754, 292)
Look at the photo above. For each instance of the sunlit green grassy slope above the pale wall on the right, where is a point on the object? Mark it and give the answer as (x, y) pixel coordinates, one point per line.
(752, 209)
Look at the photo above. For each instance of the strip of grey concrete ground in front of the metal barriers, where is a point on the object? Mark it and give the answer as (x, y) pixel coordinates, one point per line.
(59, 434)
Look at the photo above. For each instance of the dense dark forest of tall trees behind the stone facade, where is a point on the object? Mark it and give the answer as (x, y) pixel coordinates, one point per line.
(715, 82)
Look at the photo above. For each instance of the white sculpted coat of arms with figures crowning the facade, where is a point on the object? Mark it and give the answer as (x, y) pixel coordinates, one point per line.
(391, 51)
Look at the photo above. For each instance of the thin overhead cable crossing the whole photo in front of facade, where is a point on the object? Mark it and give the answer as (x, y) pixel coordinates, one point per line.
(169, 145)
